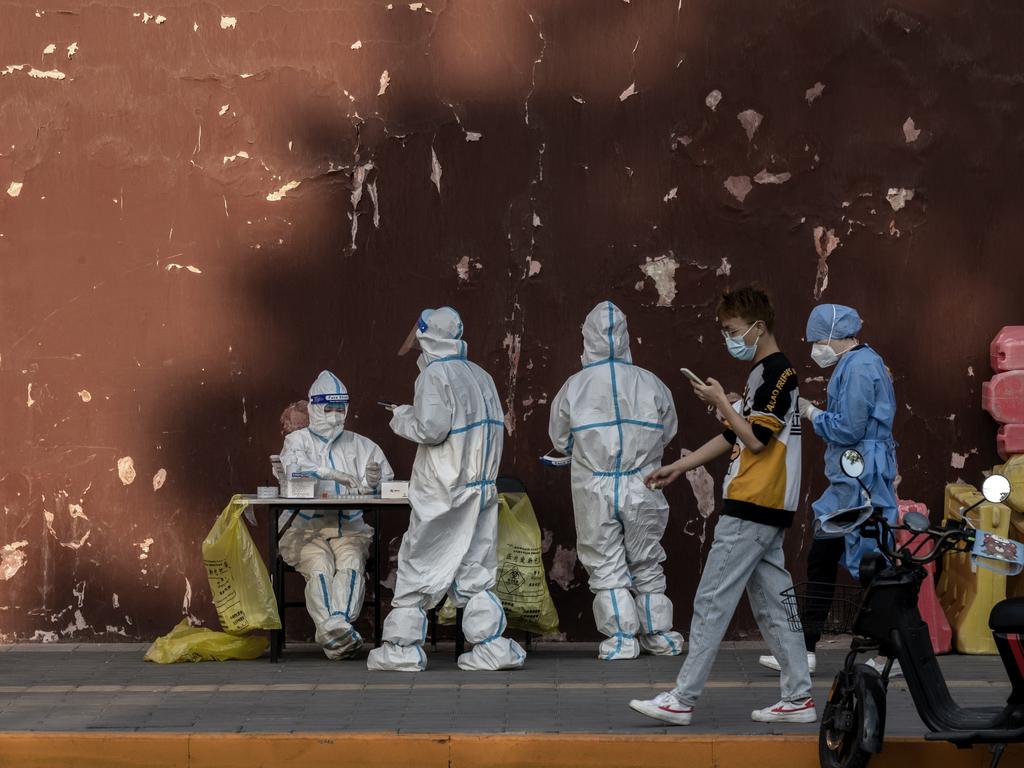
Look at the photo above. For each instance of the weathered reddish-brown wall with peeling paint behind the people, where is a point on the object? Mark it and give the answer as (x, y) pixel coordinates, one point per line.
(202, 205)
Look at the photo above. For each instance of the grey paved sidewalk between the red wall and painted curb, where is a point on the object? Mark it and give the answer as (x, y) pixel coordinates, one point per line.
(563, 690)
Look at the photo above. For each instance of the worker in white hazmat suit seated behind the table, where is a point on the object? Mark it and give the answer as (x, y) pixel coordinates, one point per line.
(330, 548)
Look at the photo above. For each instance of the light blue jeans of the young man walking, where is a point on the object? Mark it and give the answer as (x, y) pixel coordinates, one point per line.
(745, 556)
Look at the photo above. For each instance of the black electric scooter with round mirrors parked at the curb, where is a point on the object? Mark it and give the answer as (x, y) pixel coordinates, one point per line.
(888, 623)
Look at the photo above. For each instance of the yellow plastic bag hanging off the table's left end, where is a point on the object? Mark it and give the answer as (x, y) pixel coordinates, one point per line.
(239, 582)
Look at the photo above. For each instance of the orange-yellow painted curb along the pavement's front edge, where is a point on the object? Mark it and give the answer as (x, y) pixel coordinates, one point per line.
(116, 750)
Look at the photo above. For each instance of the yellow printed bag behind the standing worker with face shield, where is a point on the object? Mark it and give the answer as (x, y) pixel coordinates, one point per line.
(523, 585)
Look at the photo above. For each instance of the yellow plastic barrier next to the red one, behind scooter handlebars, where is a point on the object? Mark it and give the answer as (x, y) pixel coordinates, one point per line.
(967, 592)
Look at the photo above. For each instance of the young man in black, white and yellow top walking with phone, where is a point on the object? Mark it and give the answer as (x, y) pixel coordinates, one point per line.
(760, 496)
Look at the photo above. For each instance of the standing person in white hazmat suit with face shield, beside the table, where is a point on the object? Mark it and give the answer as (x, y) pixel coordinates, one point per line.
(451, 546)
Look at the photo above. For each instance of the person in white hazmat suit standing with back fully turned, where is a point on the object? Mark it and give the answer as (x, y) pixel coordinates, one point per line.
(616, 419)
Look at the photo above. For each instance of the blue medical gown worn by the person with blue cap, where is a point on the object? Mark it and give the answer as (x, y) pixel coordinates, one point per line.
(862, 409)
